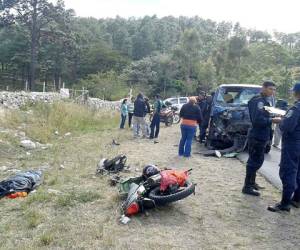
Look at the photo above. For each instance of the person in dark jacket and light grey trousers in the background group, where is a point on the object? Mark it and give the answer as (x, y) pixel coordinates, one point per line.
(139, 113)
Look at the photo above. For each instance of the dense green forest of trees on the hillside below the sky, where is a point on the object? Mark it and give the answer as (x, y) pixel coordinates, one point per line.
(45, 42)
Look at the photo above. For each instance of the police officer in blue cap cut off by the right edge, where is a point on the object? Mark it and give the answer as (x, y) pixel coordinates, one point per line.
(289, 171)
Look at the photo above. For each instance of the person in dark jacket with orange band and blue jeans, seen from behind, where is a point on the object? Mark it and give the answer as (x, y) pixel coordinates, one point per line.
(190, 114)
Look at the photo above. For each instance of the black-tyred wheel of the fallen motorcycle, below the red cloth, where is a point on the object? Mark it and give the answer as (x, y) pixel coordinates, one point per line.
(162, 199)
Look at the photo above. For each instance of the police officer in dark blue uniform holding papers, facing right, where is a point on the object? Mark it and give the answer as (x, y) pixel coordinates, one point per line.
(259, 135)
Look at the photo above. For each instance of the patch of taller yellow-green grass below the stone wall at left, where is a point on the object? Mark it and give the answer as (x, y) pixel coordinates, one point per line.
(43, 120)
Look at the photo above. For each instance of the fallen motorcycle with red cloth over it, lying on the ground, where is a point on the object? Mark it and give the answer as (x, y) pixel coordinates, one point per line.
(155, 187)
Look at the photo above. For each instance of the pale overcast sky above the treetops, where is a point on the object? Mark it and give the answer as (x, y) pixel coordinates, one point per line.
(279, 15)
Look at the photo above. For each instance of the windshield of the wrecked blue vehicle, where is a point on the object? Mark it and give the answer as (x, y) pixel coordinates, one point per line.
(236, 96)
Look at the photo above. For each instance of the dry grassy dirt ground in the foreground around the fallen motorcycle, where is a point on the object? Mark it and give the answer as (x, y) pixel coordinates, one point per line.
(218, 216)
